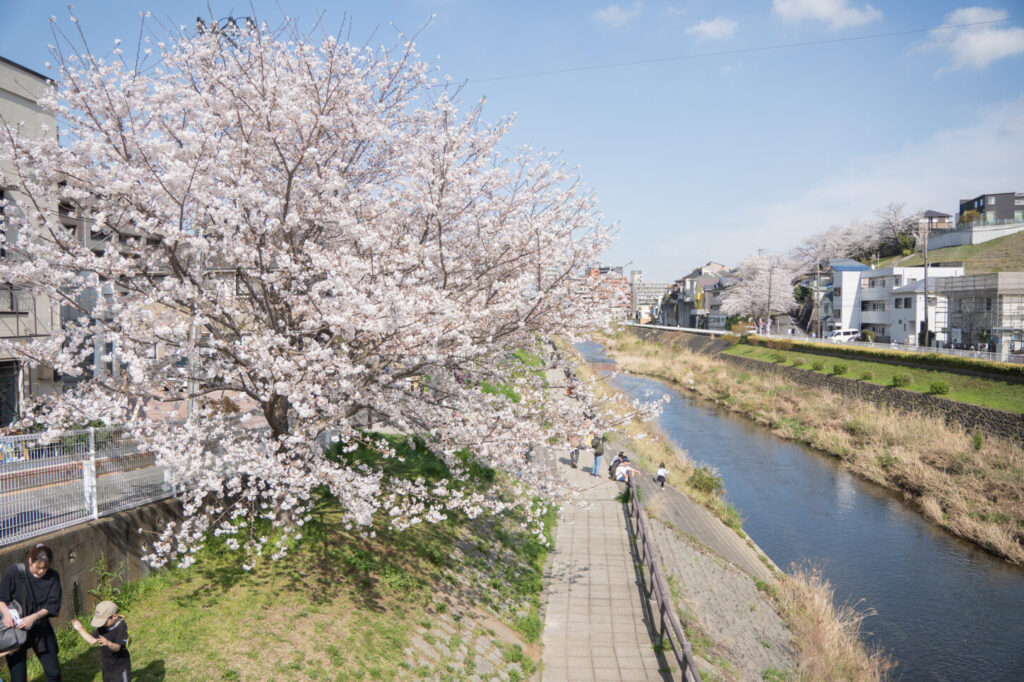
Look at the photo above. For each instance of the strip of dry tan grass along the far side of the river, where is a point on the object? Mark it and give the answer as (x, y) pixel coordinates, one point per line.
(968, 484)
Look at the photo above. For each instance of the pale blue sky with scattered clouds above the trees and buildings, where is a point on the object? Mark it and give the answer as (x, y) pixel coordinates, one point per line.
(711, 157)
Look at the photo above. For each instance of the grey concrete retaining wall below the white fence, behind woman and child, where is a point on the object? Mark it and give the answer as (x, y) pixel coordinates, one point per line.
(77, 551)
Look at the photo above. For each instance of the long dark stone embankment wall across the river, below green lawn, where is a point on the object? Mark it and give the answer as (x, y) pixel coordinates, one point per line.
(969, 417)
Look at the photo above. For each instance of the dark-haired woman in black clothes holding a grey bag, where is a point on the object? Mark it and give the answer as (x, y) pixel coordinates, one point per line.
(37, 588)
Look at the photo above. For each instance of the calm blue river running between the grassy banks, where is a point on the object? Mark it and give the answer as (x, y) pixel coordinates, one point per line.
(946, 610)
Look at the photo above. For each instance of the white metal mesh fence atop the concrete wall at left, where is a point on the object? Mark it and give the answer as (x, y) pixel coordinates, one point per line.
(49, 484)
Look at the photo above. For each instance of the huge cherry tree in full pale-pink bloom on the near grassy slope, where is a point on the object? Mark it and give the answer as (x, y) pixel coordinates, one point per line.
(317, 230)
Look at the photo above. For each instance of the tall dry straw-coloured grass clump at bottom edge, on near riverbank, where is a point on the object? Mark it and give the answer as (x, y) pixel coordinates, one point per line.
(827, 636)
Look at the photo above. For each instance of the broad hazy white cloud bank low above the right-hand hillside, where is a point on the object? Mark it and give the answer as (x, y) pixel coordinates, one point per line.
(932, 174)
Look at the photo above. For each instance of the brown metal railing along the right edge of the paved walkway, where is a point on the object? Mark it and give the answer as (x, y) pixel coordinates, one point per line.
(659, 592)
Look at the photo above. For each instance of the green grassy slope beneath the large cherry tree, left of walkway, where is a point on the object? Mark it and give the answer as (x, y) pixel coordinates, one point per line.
(438, 602)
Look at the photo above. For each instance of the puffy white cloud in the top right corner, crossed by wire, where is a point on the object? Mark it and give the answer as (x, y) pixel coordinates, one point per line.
(977, 47)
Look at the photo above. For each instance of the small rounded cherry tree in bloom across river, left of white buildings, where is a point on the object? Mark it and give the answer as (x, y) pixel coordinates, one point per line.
(764, 287)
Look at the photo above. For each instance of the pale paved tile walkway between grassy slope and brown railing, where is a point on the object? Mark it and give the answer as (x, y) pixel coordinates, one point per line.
(595, 623)
